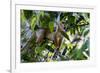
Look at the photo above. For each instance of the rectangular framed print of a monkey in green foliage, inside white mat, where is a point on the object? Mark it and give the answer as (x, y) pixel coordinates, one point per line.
(54, 36)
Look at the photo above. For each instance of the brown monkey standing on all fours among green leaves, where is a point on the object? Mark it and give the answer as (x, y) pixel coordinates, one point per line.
(56, 36)
